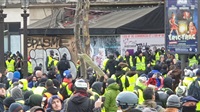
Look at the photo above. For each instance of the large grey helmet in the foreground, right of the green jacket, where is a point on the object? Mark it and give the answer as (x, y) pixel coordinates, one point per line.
(126, 99)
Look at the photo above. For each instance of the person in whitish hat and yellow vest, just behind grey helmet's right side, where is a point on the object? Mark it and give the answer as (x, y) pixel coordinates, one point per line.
(139, 88)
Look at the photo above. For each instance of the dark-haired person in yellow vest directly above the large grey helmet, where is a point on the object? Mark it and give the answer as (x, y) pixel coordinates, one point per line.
(132, 77)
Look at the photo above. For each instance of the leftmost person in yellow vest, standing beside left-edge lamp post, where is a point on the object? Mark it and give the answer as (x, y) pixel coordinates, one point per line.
(10, 65)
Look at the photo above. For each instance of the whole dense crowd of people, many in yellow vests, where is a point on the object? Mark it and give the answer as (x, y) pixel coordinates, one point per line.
(146, 81)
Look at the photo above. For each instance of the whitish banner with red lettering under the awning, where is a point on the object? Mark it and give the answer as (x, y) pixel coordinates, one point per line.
(130, 42)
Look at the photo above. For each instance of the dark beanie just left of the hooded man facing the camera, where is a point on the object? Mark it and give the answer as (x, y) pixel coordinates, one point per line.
(35, 100)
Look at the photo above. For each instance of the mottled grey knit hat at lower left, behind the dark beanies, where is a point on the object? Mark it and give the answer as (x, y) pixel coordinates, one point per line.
(16, 93)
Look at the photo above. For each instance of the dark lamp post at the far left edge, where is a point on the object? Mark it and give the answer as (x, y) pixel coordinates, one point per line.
(2, 16)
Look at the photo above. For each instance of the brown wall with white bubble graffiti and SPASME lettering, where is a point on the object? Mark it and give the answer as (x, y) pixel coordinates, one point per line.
(39, 49)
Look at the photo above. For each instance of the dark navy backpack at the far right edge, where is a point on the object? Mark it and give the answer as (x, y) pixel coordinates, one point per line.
(194, 90)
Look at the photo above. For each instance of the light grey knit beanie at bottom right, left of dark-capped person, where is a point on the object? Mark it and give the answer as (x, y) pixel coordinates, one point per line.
(173, 101)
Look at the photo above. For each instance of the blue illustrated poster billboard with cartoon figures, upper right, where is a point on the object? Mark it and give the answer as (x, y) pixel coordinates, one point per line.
(181, 26)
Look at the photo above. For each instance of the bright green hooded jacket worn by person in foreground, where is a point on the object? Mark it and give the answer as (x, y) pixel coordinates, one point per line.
(110, 96)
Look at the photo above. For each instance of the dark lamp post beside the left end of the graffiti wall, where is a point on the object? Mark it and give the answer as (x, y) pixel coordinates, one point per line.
(25, 5)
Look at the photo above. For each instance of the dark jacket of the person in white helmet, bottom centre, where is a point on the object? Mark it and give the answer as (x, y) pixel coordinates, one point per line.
(79, 102)
